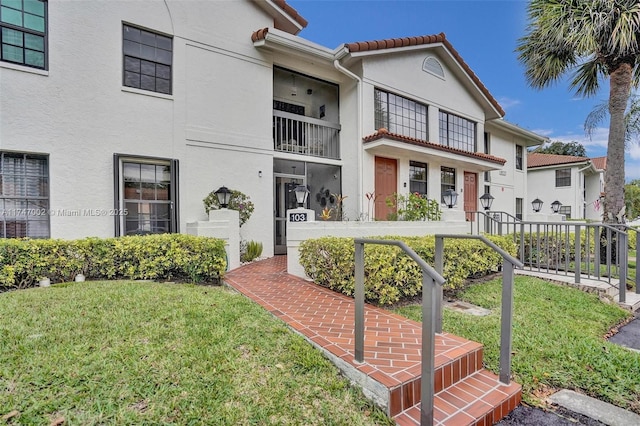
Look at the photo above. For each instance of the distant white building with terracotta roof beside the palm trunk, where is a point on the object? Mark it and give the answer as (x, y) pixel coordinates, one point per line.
(576, 182)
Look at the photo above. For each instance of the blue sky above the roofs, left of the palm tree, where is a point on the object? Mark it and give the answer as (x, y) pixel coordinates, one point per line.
(485, 33)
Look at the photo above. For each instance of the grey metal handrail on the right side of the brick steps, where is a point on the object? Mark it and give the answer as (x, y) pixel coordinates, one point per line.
(506, 317)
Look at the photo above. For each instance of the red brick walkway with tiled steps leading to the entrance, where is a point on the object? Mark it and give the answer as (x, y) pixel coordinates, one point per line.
(391, 372)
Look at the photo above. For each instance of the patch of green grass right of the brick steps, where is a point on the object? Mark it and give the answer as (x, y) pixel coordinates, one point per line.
(557, 340)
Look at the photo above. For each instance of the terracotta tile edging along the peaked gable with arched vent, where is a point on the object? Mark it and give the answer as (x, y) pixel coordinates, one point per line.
(421, 40)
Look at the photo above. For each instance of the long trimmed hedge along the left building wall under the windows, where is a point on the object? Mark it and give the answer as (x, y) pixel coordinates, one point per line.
(161, 257)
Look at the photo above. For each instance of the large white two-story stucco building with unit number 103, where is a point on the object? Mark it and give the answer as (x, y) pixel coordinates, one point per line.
(126, 128)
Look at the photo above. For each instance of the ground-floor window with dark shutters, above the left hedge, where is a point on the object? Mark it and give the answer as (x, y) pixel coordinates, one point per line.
(147, 195)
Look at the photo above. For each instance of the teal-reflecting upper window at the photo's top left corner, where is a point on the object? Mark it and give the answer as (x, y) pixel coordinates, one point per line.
(24, 32)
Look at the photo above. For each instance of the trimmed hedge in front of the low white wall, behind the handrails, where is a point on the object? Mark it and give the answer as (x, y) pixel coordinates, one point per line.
(390, 275)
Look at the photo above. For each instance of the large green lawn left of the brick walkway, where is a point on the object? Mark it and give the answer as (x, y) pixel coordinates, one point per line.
(160, 353)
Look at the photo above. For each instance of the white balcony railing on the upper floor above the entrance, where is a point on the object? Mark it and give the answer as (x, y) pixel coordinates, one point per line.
(298, 134)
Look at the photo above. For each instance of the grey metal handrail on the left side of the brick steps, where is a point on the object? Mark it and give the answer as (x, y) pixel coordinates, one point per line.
(431, 281)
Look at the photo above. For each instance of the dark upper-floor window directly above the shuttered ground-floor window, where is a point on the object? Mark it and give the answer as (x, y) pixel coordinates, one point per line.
(147, 60)
